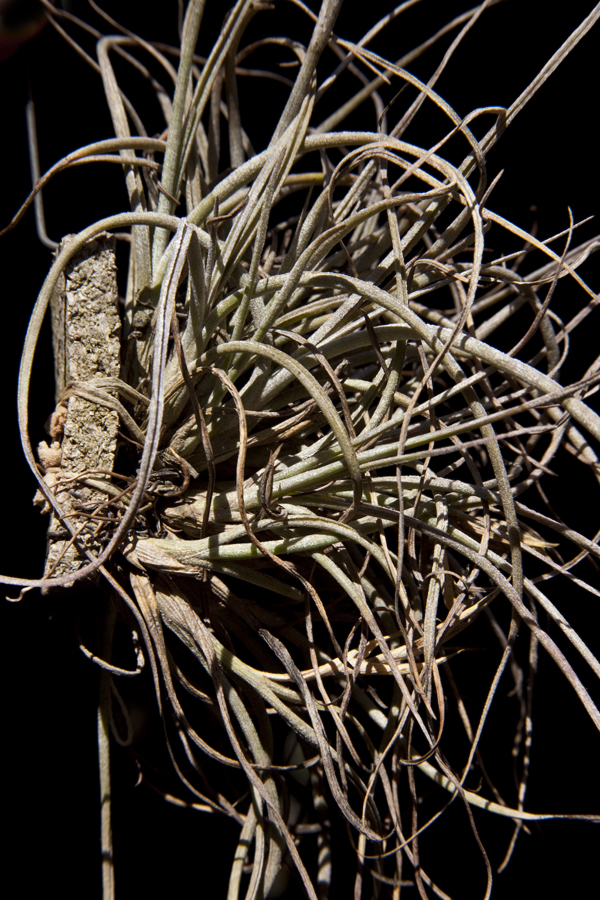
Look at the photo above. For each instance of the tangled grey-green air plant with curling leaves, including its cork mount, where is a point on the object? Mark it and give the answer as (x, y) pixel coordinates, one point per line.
(295, 456)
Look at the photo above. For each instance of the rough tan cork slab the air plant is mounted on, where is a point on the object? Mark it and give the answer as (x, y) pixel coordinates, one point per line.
(86, 341)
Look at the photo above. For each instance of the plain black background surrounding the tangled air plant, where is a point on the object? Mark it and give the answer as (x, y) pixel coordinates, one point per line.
(48, 688)
